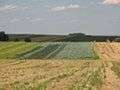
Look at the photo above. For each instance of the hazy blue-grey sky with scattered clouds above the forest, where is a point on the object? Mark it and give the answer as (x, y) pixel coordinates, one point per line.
(95, 17)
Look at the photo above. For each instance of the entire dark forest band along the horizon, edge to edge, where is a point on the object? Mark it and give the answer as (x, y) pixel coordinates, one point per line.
(73, 37)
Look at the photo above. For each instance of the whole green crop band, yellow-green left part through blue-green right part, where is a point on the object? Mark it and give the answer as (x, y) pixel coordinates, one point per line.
(51, 50)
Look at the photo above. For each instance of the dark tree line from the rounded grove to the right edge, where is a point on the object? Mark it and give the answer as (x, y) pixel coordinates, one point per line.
(77, 37)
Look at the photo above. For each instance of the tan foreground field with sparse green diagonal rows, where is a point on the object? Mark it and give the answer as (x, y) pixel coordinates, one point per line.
(59, 75)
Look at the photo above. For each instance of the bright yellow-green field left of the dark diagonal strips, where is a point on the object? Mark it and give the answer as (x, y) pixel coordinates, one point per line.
(10, 50)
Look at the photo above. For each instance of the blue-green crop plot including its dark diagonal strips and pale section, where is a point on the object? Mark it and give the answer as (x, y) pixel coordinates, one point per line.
(64, 50)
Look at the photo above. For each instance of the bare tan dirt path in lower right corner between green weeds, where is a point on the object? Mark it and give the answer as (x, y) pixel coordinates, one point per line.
(111, 81)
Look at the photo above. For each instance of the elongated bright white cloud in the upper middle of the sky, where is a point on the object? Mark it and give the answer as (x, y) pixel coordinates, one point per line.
(62, 8)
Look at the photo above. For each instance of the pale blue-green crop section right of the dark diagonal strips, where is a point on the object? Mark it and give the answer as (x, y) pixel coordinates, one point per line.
(82, 50)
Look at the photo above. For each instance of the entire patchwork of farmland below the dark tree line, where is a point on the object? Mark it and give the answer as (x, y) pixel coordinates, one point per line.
(60, 66)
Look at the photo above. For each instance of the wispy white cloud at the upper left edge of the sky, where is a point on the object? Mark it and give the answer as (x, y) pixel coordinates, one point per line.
(11, 7)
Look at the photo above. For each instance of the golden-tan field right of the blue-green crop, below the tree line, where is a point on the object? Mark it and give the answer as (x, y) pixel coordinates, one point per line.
(108, 51)
